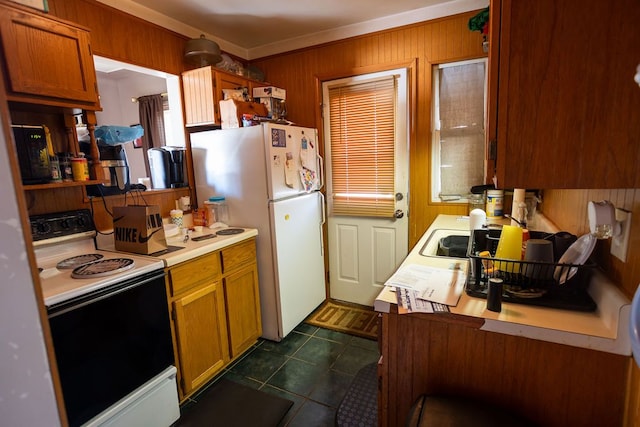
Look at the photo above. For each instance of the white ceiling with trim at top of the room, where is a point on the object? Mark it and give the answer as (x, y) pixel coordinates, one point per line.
(255, 28)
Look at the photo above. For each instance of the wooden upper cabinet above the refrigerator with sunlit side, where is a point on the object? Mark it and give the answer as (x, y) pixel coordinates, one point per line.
(202, 88)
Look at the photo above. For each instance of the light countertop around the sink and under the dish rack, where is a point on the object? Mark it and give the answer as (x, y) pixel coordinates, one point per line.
(606, 329)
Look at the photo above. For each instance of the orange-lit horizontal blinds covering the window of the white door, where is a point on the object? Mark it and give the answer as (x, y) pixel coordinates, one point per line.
(362, 128)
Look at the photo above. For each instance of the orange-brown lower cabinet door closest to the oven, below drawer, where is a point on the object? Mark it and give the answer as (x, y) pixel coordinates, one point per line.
(201, 335)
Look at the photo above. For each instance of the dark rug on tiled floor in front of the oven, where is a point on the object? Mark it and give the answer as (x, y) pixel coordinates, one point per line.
(229, 404)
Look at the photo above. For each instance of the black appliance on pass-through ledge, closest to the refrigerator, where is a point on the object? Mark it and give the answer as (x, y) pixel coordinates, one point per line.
(167, 167)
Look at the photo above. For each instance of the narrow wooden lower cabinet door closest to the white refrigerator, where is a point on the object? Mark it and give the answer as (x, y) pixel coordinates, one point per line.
(243, 309)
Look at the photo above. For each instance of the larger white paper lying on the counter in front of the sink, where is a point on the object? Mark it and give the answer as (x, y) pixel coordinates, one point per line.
(433, 284)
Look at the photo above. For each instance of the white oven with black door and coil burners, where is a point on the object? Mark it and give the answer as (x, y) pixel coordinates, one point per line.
(109, 322)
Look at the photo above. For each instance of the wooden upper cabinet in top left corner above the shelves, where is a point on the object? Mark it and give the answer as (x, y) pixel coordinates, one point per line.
(48, 61)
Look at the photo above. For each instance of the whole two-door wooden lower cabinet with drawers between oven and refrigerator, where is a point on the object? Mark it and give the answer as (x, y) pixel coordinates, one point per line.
(215, 310)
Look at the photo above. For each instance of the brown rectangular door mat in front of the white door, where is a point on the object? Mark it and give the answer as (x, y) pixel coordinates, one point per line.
(350, 319)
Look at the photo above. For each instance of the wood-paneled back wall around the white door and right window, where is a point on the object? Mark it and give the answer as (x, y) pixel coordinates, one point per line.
(418, 46)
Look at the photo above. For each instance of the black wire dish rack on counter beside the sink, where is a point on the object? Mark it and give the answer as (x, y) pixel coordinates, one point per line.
(526, 282)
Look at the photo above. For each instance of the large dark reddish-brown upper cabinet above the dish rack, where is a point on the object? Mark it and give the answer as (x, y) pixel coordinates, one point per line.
(563, 104)
